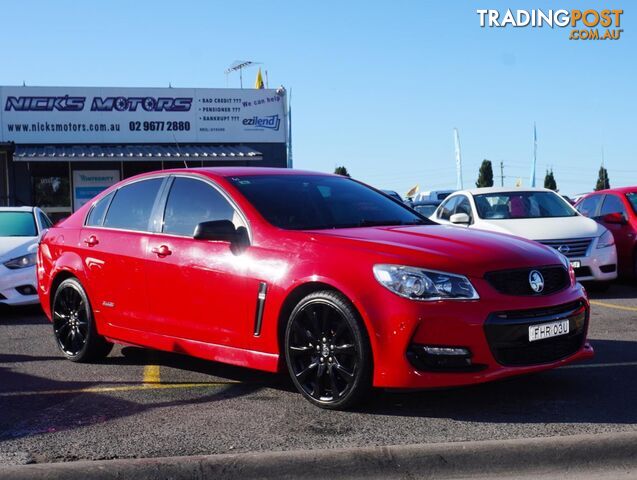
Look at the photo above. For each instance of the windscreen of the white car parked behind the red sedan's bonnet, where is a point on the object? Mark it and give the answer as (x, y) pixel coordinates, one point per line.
(507, 205)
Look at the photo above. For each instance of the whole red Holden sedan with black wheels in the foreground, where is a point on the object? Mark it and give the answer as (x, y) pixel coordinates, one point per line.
(320, 275)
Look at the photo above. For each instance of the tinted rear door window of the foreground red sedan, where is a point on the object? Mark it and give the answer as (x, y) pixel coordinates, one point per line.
(132, 205)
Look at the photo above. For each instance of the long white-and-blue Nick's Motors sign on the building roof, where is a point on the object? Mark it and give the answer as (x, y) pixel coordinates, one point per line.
(76, 115)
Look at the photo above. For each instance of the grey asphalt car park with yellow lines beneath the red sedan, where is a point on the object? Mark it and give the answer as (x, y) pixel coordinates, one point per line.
(142, 403)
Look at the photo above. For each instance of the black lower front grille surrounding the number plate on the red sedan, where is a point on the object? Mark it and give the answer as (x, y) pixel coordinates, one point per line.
(508, 335)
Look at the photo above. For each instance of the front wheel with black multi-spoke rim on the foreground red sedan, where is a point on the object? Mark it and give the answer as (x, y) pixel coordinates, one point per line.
(327, 351)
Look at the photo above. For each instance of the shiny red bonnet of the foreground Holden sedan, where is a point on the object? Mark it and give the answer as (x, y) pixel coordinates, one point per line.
(447, 248)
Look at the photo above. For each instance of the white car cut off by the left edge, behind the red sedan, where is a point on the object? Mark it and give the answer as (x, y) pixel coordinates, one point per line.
(20, 232)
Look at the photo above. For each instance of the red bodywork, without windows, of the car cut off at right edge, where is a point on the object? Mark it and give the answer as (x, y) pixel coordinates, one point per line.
(625, 234)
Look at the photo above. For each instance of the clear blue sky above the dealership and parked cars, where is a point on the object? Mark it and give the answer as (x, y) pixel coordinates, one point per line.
(377, 86)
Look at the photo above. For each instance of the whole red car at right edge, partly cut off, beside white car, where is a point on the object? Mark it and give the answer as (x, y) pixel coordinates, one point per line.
(616, 209)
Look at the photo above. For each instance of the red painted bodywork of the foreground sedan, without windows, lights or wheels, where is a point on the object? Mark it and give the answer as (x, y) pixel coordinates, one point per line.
(201, 298)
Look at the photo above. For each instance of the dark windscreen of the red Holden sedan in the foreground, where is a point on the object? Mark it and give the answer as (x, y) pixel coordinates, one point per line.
(313, 202)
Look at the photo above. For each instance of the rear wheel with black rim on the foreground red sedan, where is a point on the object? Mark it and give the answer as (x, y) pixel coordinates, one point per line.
(74, 325)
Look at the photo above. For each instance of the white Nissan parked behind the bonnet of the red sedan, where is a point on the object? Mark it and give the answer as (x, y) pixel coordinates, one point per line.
(537, 214)
